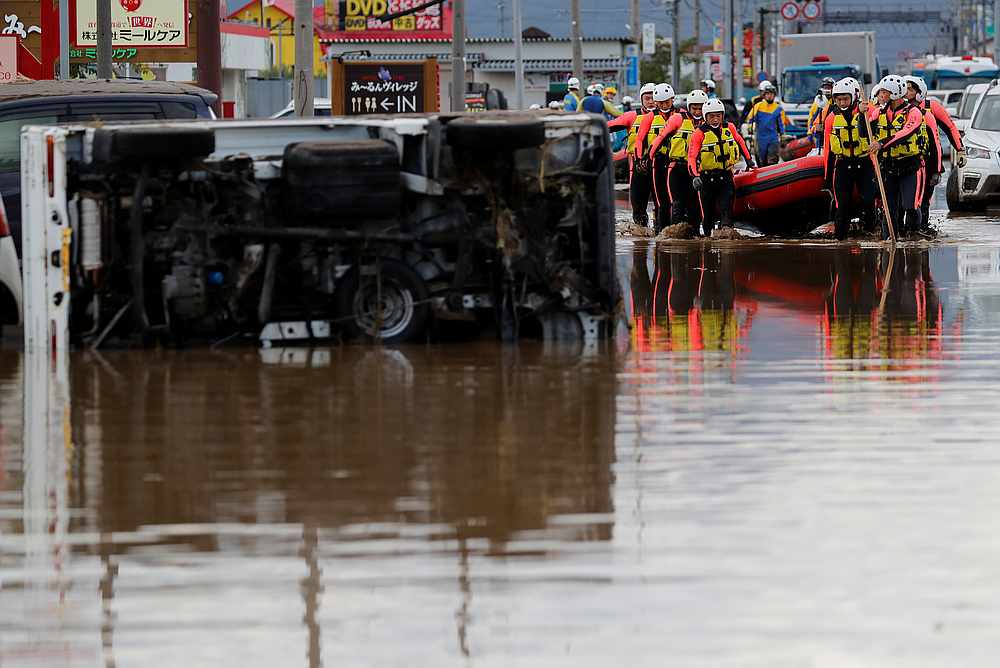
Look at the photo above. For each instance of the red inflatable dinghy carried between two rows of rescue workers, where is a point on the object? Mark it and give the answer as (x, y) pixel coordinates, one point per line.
(777, 186)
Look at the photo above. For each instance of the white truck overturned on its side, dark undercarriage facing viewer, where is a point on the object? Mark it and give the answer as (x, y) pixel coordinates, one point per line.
(388, 228)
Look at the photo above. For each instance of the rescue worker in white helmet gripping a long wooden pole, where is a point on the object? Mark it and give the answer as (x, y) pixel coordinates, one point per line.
(900, 143)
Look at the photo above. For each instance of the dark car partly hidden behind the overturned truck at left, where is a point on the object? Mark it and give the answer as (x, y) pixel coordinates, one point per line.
(81, 100)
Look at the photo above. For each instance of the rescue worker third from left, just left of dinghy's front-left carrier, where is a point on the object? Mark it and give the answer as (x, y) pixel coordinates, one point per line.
(675, 138)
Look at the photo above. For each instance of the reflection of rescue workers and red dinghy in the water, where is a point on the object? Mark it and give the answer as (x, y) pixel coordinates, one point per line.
(858, 303)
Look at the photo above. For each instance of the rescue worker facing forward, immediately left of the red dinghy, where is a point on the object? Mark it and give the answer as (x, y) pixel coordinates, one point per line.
(714, 150)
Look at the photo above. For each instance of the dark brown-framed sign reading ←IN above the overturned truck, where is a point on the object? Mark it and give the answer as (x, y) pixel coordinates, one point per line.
(385, 87)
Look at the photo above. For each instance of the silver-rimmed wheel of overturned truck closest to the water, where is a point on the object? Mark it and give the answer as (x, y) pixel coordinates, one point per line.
(406, 309)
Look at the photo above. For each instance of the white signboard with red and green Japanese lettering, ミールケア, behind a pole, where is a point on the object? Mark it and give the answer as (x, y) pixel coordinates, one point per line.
(151, 23)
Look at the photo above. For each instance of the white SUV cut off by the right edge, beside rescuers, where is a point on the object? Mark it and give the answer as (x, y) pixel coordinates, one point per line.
(974, 184)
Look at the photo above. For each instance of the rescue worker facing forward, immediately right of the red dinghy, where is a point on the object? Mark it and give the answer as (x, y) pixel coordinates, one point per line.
(847, 165)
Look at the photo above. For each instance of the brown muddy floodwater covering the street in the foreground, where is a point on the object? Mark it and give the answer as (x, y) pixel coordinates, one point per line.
(792, 458)
